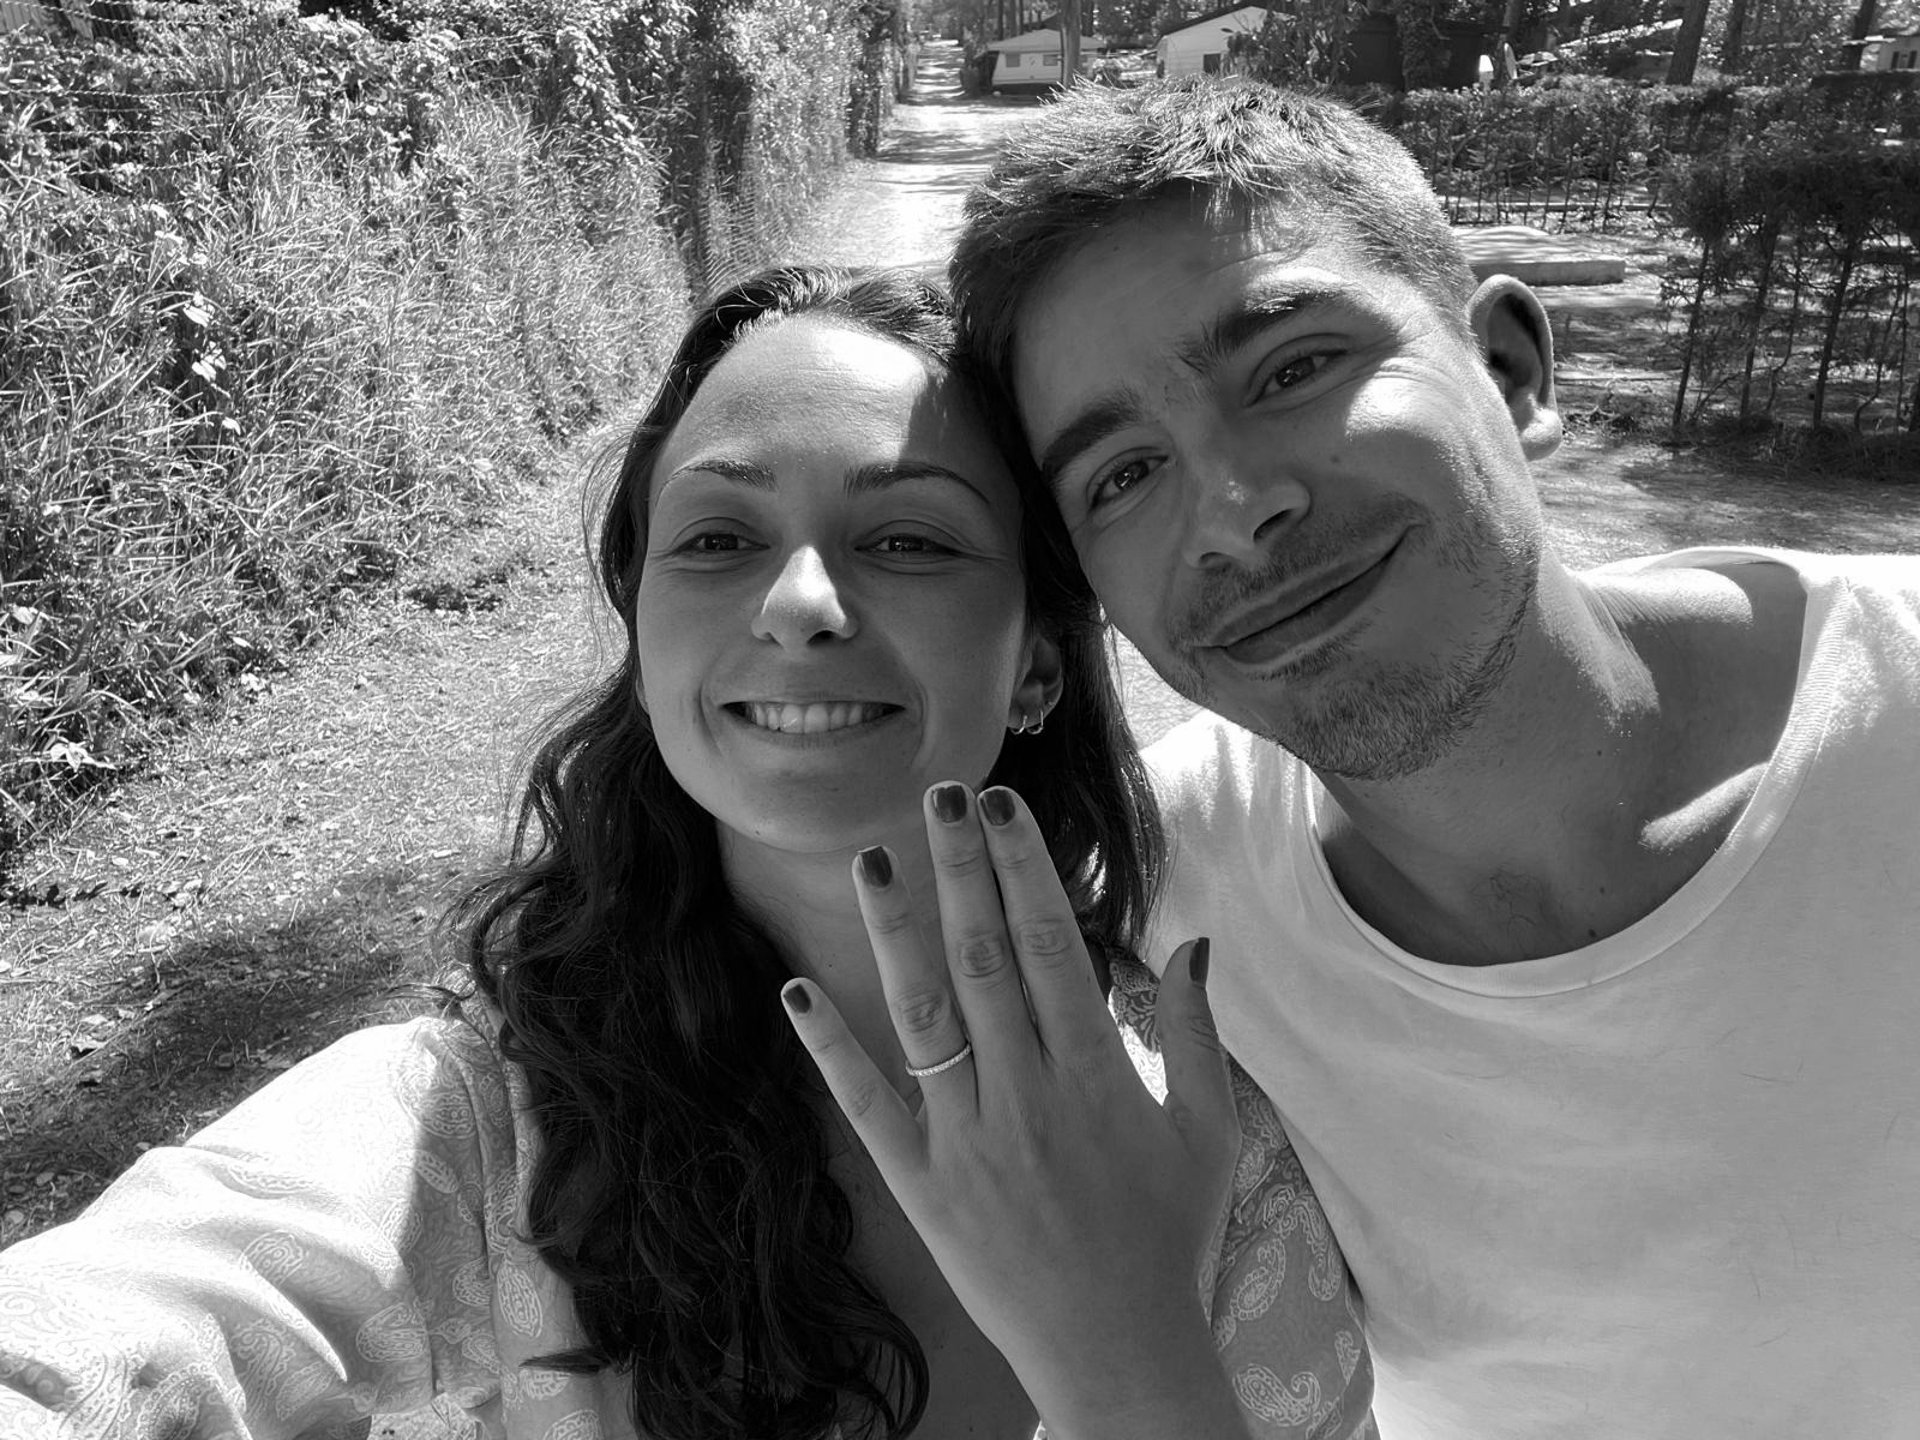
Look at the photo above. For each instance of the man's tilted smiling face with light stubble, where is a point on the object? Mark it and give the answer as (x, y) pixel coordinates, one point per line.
(1293, 483)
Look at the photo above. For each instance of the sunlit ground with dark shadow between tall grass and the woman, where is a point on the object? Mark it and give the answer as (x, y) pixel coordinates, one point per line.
(260, 890)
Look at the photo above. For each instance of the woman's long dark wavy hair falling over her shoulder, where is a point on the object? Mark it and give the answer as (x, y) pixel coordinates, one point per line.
(684, 1191)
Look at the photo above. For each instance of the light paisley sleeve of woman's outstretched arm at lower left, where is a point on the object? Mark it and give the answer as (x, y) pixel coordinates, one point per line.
(308, 1260)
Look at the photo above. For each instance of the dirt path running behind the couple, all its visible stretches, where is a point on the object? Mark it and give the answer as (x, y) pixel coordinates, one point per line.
(252, 898)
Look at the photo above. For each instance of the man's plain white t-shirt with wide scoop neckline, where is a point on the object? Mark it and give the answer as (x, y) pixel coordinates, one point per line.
(1664, 1186)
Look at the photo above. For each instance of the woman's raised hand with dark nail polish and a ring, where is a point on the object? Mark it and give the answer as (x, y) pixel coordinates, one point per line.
(1068, 1209)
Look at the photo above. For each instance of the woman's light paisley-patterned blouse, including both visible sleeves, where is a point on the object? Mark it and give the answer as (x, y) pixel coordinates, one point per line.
(339, 1255)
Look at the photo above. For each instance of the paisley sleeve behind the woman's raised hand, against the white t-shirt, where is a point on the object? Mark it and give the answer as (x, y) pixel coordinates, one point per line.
(1285, 1312)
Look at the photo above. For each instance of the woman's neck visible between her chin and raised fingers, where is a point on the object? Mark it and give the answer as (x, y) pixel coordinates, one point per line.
(807, 903)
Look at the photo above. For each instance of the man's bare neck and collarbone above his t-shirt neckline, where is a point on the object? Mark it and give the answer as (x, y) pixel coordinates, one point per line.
(1633, 729)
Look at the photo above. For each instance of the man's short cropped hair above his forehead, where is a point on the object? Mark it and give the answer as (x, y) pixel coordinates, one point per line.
(1234, 149)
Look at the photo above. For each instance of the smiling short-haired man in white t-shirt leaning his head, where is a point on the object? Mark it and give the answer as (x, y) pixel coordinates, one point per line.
(1570, 919)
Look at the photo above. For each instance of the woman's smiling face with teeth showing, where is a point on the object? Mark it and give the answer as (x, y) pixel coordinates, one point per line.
(832, 613)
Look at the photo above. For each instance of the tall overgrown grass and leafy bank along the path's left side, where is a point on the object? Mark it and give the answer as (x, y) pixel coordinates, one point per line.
(281, 299)
